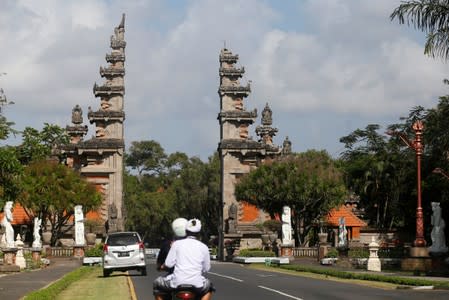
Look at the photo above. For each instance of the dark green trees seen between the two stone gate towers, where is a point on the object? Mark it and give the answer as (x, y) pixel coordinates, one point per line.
(167, 187)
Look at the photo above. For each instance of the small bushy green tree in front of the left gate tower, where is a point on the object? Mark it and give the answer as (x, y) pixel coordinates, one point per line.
(51, 191)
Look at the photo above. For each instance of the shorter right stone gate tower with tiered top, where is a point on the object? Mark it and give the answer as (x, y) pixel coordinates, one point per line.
(239, 153)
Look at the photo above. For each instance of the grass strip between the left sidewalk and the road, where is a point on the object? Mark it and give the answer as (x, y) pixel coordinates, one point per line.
(85, 283)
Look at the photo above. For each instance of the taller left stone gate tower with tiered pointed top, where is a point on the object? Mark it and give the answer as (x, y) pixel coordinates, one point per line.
(100, 159)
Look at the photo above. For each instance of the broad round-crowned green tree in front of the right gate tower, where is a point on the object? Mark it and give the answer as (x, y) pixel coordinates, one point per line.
(310, 183)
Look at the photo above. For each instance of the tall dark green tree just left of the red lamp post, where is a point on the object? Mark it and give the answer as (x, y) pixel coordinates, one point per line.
(377, 169)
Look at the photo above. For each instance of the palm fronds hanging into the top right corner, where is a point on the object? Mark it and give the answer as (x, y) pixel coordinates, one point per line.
(431, 17)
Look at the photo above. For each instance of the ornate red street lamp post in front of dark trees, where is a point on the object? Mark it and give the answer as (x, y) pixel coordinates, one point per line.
(418, 147)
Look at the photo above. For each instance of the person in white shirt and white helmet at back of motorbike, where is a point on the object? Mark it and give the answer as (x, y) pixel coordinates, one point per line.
(191, 259)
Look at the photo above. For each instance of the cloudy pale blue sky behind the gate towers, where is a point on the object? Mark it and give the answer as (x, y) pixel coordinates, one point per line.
(326, 67)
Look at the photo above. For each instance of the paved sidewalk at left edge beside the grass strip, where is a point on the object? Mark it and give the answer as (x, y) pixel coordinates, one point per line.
(14, 286)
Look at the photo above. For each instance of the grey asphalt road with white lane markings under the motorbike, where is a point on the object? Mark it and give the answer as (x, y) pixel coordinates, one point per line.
(234, 281)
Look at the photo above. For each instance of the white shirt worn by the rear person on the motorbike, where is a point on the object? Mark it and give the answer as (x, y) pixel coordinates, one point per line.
(191, 259)
